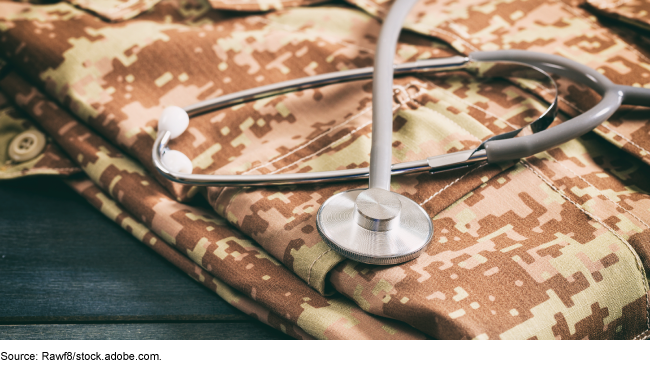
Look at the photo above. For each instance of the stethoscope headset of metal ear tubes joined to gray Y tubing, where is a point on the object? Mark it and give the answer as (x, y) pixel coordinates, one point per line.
(613, 96)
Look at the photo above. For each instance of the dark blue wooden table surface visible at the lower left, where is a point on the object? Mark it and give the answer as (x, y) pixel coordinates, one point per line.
(67, 272)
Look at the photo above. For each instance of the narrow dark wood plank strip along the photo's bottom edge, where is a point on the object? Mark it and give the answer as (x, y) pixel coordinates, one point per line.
(143, 331)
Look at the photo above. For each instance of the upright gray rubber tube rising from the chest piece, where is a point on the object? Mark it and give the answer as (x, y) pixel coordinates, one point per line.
(382, 95)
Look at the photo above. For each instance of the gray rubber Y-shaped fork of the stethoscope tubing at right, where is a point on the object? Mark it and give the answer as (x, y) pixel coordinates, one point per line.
(613, 96)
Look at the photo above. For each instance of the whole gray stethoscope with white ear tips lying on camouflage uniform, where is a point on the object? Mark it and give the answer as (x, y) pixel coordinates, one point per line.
(376, 225)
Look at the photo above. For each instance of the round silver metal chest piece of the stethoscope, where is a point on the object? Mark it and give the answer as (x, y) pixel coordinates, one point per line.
(374, 226)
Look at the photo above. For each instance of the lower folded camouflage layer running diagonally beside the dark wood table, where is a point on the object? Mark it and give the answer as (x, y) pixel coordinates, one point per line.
(204, 238)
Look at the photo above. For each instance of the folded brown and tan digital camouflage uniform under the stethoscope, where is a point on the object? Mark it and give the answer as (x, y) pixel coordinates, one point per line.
(553, 246)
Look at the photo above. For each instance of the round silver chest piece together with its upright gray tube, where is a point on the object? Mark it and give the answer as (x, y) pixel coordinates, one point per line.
(376, 225)
